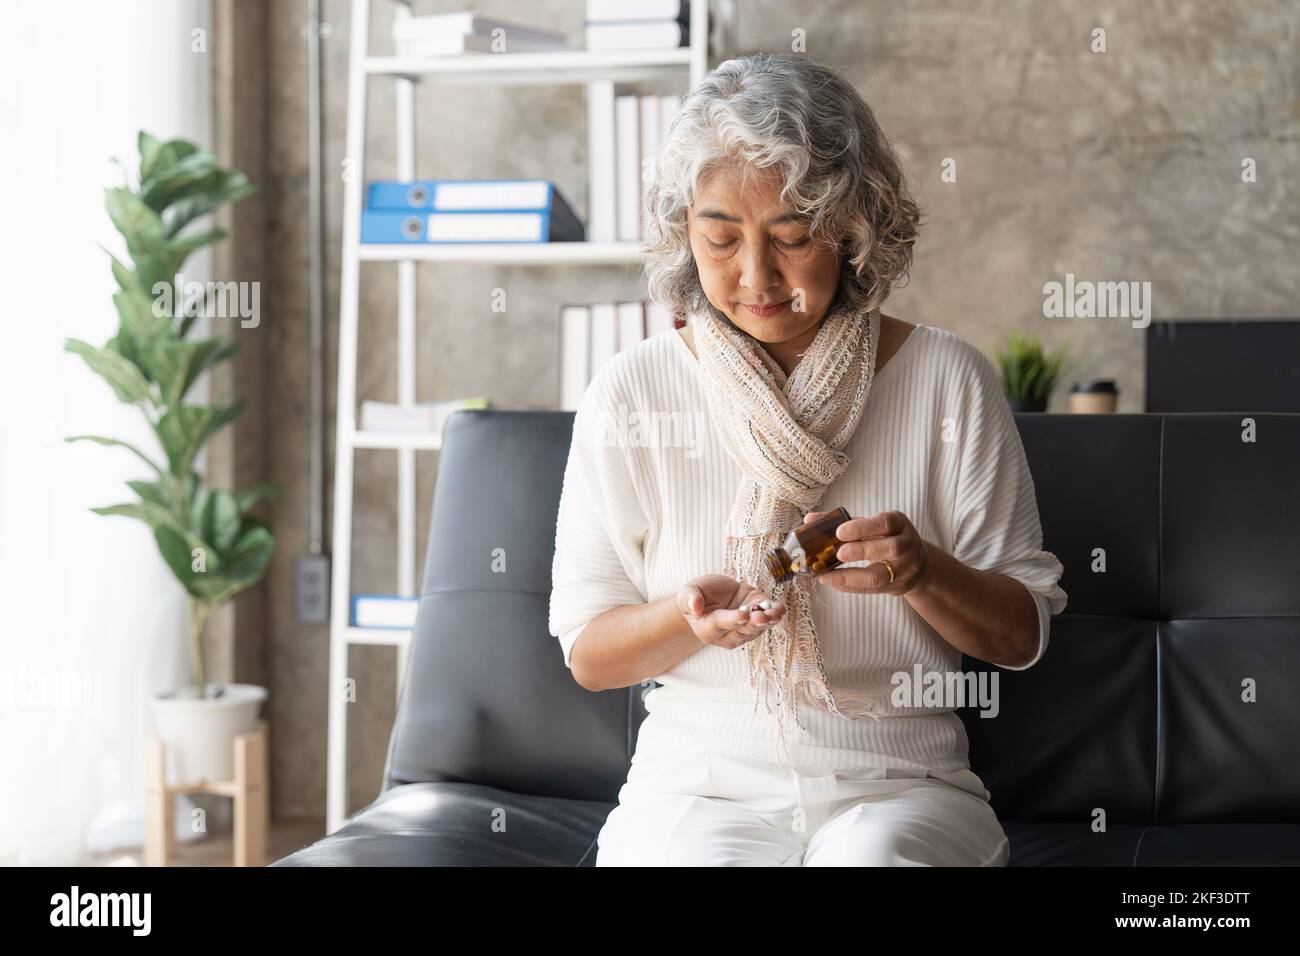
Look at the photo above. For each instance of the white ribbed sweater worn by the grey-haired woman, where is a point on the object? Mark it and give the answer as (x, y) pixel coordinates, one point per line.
(648, 492)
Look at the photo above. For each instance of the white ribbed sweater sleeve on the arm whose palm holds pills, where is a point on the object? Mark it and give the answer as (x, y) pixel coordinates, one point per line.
(600, 529)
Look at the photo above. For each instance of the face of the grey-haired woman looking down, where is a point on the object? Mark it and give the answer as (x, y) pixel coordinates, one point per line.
(752, 252)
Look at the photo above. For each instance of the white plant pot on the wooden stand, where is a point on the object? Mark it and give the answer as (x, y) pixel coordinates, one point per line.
(200, 736)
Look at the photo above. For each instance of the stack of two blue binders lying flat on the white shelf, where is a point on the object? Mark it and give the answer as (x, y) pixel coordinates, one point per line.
(469, 211)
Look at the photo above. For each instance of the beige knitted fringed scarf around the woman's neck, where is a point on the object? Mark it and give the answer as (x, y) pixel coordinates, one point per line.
(788, 438)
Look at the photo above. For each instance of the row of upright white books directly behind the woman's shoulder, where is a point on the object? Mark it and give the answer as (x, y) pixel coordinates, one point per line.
(591, 335)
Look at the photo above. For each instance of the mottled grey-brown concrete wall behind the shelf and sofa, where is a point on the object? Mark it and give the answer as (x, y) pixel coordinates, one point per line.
(1117, 166)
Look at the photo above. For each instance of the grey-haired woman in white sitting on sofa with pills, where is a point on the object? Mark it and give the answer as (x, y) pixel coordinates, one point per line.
(779, 222)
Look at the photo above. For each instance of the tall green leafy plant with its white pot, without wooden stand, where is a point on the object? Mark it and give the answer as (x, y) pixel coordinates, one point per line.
(207, 537)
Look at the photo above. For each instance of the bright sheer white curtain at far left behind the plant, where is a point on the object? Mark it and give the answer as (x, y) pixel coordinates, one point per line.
(88, 604)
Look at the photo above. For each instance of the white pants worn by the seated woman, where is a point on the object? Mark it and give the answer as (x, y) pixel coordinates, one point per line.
(708, 810)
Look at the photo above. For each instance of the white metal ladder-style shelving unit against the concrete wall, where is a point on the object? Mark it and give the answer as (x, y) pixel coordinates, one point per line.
(599, 72)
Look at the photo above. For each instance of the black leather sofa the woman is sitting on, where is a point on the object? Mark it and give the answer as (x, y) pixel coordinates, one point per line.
(1139, 717)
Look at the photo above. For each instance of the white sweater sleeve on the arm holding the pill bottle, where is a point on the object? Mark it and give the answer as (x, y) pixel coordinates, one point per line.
(996, 518)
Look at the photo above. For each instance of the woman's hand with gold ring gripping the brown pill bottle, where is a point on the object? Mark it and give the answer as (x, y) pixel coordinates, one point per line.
(886, 537)
